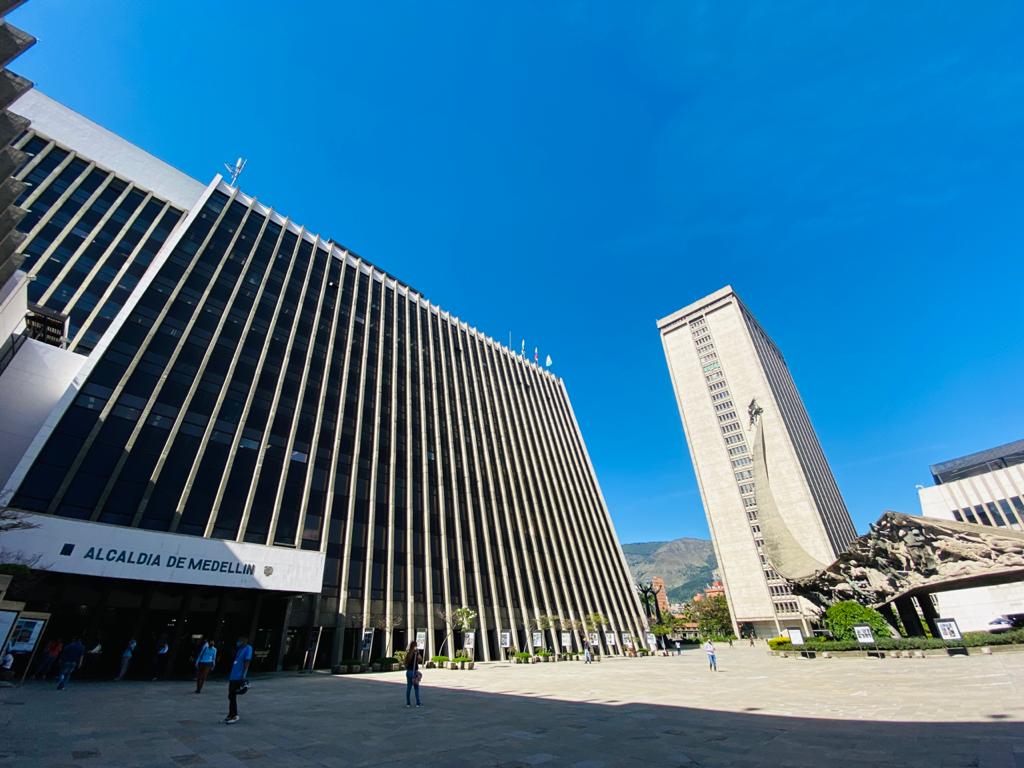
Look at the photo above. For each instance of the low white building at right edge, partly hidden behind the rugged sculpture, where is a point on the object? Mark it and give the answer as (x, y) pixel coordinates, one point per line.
(987, 489)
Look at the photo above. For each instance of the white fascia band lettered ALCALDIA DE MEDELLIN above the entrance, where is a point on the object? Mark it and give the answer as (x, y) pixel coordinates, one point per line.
(117, 552)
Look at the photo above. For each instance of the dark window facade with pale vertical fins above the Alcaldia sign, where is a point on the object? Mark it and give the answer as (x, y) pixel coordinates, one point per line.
(246, 412)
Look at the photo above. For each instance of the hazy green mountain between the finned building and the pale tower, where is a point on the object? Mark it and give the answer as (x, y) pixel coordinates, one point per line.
(688, 566)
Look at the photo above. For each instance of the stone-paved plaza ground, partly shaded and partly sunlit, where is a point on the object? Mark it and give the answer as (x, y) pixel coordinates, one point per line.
(657, 712)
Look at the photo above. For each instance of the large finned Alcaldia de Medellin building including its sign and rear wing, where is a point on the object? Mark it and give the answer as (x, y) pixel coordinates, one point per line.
(250, 429)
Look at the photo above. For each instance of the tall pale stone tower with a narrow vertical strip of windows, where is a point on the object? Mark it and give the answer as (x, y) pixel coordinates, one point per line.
(773, 504)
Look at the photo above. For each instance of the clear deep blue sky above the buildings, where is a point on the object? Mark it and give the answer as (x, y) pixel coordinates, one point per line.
(572, 172)
